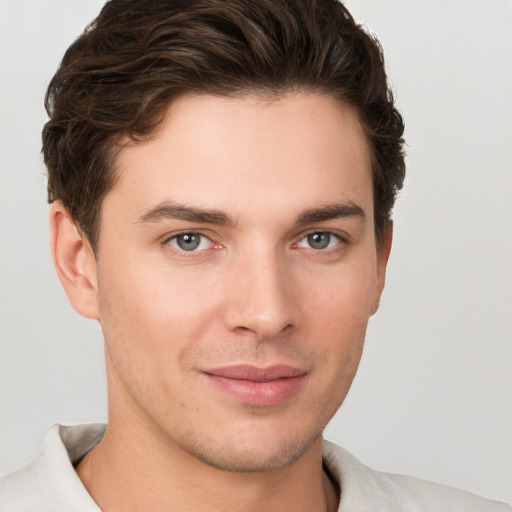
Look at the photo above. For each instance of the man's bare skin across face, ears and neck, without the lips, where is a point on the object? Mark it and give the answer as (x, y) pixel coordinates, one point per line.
(255, 291)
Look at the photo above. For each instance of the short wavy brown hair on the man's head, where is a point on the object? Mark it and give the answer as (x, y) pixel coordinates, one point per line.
(119, 76)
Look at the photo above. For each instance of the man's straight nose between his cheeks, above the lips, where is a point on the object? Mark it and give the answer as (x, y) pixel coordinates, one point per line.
(260, 297)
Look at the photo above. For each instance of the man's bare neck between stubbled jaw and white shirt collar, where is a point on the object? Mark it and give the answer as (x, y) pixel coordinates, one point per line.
(134, 469)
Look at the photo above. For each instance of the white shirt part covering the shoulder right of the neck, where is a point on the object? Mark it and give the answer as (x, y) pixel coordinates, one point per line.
(365, 489)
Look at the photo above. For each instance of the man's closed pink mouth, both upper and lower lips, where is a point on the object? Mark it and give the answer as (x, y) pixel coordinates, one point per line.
(255, 386)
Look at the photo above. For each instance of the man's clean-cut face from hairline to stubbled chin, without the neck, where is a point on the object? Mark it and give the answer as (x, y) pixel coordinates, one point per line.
(236, 273)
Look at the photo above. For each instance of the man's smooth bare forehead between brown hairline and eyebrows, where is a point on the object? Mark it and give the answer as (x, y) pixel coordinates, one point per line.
(237, 153)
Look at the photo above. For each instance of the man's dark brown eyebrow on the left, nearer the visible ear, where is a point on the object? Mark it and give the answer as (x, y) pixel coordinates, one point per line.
(170, 210)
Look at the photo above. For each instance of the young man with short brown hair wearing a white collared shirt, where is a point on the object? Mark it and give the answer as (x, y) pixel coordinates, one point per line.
(221, 177)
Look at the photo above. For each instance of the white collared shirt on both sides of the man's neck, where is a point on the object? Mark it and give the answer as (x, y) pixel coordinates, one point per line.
(50, 483)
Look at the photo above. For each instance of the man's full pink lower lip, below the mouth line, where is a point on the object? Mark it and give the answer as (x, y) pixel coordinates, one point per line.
(261, 394)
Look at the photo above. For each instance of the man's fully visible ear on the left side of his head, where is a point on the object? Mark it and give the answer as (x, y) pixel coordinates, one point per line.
(74, 261)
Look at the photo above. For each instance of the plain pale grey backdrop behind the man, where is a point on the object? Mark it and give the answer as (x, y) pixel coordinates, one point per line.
(433, 396)
